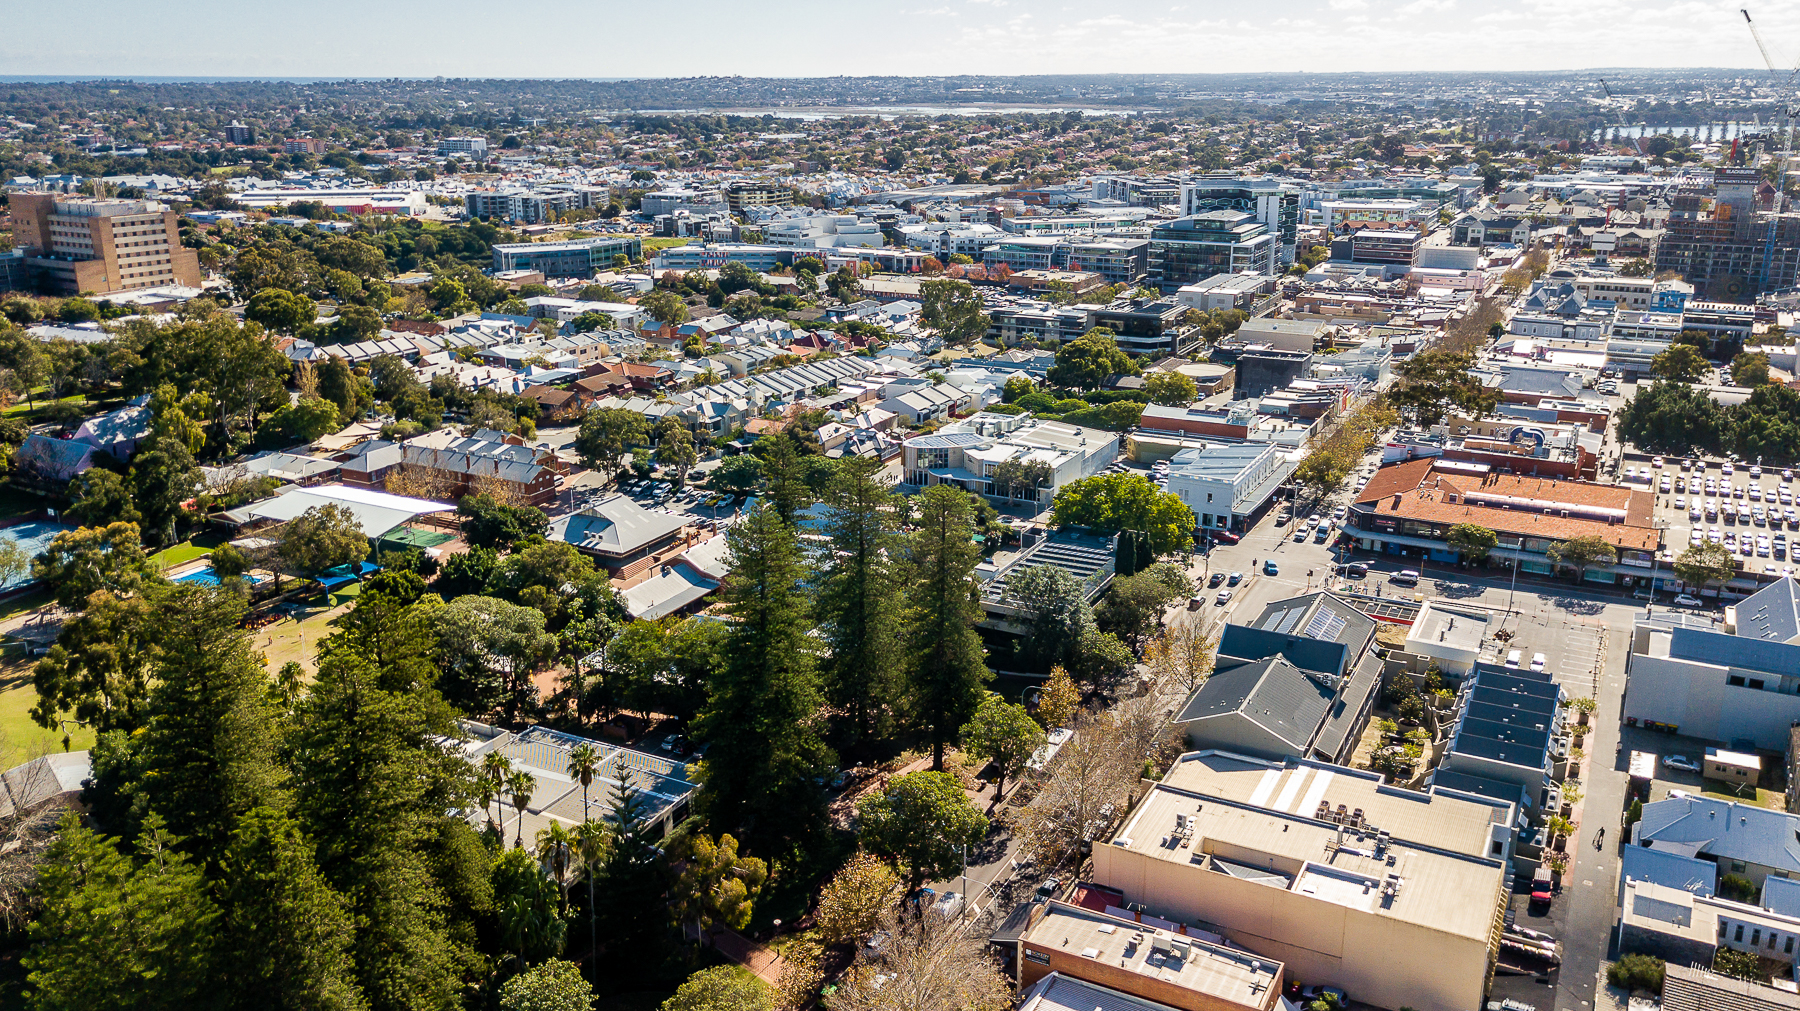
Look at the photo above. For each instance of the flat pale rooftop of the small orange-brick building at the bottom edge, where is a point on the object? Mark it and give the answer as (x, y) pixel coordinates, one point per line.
(1191, 963)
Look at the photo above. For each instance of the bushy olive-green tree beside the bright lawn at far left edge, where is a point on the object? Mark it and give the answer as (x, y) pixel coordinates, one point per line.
(98, 674)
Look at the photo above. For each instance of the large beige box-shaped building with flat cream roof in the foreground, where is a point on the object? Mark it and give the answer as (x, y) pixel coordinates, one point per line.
(1392, 895)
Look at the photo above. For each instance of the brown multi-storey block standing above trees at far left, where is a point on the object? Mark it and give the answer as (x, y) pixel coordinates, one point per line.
(100, 246)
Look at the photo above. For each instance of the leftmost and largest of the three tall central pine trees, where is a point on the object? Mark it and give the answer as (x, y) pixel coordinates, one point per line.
(760, 719)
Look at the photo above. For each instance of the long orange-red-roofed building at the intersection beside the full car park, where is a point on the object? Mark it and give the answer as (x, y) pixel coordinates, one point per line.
(1410, 510)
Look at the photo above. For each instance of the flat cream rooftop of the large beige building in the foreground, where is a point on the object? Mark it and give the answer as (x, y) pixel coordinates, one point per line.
(1273, 823)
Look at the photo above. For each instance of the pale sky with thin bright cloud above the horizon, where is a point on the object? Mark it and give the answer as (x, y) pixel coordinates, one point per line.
(809, 39)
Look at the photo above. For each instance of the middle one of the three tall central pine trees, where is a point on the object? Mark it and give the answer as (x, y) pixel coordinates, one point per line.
(859, 602)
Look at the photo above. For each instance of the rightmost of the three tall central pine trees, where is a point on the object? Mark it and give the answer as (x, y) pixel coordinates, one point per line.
(948, 667)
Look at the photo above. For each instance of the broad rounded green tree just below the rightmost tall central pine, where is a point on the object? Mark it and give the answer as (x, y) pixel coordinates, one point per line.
(924, 821)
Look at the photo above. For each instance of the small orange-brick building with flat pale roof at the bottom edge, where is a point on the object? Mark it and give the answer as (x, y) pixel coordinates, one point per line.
(1065, 953)
